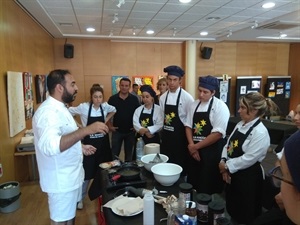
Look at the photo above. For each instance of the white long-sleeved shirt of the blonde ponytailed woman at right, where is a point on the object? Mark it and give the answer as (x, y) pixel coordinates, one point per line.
(255, 146)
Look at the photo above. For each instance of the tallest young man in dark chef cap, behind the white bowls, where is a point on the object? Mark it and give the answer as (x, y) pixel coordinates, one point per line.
(175, 103)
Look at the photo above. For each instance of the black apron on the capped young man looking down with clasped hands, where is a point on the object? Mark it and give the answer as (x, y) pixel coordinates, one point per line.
(205, 175)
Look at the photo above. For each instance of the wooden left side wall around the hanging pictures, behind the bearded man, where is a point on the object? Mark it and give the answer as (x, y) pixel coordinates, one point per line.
(24, 46)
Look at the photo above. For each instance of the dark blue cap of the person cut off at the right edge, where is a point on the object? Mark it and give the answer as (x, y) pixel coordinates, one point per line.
(292, 156)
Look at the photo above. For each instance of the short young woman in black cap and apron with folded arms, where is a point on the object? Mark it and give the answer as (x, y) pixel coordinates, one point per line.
(148, 118)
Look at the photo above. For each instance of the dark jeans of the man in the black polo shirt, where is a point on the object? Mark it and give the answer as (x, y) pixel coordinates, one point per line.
(117, 139)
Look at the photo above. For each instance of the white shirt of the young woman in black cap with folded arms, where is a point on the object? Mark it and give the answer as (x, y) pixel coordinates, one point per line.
(158, 118)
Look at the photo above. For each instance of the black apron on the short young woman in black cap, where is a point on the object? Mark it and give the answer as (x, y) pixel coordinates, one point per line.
(146, 120)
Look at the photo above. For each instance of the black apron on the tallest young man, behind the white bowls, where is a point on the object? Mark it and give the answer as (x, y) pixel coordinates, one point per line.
(173, 141)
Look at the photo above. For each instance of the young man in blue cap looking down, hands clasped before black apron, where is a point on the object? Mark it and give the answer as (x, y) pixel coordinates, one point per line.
(206, 125)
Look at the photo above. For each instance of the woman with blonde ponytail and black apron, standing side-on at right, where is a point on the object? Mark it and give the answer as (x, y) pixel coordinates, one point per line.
(241, 157)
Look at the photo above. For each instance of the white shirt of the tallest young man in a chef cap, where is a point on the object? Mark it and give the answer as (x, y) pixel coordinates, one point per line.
(184, 102)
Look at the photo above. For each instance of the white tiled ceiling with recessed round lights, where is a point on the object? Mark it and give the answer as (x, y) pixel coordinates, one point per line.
(170, 19)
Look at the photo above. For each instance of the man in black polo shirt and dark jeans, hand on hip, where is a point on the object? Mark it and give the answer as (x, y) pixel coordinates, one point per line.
(121, 124)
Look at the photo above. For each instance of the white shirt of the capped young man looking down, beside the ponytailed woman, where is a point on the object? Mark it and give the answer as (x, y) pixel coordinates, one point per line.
(219, 114)
